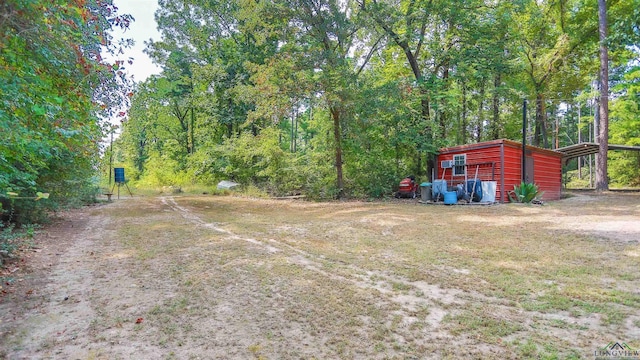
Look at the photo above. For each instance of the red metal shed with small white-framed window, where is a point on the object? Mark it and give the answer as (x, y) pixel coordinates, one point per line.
(501, 161)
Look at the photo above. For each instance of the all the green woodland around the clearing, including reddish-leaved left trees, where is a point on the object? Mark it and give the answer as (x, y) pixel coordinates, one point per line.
(322, 97)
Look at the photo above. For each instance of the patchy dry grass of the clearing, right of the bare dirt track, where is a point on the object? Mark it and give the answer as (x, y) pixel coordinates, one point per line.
(394, 280)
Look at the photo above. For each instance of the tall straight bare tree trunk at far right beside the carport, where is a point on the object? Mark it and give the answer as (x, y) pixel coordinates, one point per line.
(602, 182)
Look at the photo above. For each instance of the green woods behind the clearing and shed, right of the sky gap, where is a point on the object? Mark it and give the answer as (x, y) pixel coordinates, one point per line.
(344, 98)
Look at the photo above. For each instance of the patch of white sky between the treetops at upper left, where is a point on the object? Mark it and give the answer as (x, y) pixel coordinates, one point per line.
(141, 30)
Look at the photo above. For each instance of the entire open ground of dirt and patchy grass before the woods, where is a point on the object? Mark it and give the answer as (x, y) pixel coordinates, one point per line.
(210, 277)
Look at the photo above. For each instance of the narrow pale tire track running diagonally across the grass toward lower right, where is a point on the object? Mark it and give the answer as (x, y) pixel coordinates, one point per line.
(439, 301)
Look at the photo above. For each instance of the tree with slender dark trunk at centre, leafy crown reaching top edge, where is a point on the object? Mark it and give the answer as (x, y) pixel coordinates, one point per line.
(320, 36)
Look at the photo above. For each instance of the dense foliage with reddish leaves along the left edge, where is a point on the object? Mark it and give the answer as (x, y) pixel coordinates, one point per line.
(56, 92)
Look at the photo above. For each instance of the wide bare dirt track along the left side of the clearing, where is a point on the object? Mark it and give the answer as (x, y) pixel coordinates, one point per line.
(90, 302)
